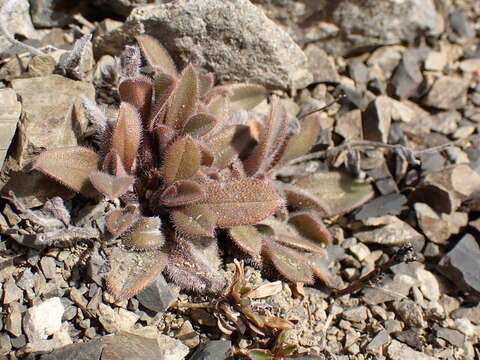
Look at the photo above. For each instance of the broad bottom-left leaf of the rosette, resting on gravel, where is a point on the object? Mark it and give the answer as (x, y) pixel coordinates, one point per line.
(131, 272)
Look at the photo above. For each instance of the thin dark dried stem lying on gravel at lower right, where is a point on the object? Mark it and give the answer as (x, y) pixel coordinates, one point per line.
(404, 254)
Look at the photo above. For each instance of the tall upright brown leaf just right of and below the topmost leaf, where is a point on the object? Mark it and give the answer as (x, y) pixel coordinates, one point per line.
(184, 100)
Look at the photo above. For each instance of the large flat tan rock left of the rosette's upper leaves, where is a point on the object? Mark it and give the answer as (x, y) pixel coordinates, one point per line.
(50, 118)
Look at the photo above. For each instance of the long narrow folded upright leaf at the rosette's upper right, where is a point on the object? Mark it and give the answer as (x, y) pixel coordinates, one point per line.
(271, 140)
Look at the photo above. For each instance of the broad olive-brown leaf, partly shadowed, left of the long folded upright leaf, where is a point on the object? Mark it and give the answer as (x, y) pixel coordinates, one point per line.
(229, 144)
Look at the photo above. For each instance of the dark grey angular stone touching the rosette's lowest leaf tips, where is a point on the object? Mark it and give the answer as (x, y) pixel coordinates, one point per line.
(158, 296)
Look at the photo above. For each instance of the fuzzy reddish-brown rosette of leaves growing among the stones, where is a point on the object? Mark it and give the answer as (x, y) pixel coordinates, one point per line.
(184, 162)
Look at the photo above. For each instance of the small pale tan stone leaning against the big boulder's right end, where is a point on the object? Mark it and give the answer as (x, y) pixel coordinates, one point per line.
(320, 65)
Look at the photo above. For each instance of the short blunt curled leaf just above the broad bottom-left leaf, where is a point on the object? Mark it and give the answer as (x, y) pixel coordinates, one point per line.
(146, 234)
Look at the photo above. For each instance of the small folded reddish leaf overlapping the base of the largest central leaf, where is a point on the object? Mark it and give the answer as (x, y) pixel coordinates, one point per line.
(182, 192)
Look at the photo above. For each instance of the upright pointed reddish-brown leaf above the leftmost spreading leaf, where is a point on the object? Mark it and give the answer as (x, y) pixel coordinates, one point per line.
(126, 135)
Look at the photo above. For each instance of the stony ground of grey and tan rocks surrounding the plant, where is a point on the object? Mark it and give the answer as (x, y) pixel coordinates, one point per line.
(410, 75)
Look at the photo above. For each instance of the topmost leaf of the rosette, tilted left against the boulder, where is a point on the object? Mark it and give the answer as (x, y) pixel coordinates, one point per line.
(156, 55)
